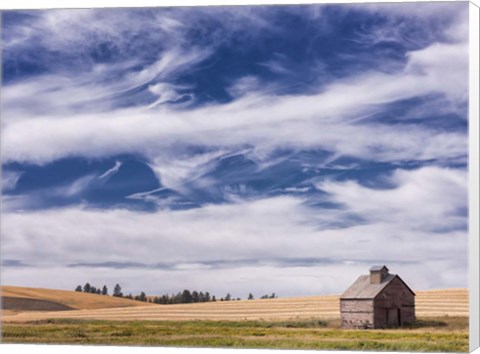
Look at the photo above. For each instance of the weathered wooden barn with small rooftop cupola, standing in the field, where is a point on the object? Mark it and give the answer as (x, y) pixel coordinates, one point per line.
(377, 300)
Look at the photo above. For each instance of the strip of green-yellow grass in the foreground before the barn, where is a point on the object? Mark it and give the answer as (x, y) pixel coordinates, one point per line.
(445, 334)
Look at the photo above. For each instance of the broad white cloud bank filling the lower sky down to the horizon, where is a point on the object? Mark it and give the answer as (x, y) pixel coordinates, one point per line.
(414, 226)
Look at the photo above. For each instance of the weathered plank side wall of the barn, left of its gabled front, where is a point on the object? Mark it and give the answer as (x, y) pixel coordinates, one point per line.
(356, 313)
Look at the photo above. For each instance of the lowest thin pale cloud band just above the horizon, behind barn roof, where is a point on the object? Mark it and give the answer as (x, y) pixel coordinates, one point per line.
(239, 282)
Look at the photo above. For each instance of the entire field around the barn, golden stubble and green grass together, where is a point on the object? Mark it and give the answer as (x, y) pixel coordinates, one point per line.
(288, 323)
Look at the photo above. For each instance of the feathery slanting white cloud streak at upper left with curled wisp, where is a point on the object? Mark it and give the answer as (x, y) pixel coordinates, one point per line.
(63, 95)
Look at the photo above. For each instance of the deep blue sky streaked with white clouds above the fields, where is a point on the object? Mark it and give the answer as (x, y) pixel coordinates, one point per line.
(247, 149)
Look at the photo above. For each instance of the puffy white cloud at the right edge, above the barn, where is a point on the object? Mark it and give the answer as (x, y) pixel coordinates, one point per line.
(428, 199)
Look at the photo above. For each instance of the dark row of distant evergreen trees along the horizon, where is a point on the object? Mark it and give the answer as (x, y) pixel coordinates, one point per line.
(184, 297)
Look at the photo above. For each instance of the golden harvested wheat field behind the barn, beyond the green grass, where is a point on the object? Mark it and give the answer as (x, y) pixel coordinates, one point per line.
(432, 303)
